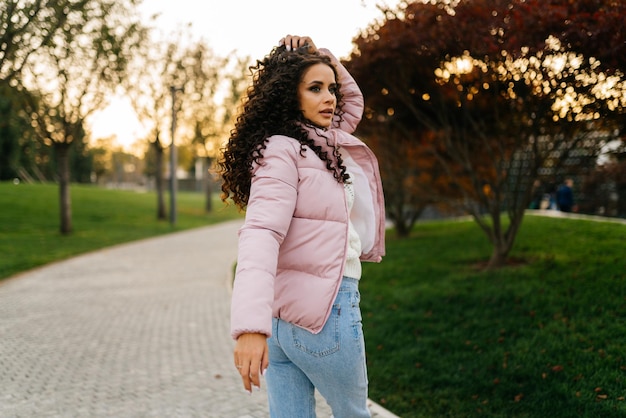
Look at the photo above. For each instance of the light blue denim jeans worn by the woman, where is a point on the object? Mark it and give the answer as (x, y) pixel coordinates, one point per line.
(332, 361)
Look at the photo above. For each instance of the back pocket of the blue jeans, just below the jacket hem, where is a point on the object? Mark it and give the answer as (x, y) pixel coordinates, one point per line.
(322, 344)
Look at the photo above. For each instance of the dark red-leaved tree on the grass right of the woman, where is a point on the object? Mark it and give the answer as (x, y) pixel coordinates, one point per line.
(490, 99)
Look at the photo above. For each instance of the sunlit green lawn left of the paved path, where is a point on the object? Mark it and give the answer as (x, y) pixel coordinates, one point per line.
(29, 221)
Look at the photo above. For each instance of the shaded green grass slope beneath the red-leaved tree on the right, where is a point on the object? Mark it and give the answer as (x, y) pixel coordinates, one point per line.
(545, 339)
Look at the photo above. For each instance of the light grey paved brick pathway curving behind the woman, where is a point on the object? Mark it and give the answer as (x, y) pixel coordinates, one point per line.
(136, 330)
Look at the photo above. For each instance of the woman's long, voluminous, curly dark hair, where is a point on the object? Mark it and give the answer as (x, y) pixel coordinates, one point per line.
(272, 107)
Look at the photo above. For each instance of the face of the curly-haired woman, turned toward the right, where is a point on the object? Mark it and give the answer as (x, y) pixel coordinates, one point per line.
(316, 93)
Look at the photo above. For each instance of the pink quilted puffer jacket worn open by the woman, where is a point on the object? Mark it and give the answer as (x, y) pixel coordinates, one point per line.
(292, 246)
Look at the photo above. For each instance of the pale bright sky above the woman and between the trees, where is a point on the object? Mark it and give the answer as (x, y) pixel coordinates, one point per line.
(246, 28)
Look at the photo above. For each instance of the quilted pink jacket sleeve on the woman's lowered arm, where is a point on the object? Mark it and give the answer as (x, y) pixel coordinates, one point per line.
(268, 216)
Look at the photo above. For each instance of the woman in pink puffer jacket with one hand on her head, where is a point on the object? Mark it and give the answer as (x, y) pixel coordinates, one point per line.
(314, 210)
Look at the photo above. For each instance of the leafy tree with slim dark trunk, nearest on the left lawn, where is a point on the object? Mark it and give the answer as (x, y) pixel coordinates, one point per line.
(74, 73)
